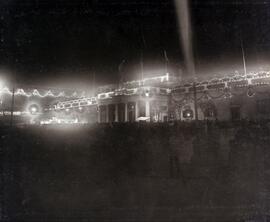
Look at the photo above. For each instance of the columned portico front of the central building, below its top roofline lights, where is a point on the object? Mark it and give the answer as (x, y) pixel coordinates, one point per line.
(144, 104)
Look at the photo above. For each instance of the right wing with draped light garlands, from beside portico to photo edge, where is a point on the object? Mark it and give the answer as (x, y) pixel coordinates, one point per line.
(230, 98)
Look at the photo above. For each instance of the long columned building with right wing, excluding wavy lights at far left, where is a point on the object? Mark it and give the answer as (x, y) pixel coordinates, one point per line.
(163, 98)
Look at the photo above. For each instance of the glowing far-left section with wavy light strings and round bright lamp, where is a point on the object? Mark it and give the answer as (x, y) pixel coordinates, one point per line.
(30, 105)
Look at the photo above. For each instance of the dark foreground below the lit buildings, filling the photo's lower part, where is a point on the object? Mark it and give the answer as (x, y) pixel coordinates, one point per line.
(219, 172)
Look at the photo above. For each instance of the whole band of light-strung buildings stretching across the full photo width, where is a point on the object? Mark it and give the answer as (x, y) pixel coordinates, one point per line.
(156, 99)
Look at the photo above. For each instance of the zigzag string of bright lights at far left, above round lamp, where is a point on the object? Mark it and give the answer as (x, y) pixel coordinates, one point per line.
(35, 92)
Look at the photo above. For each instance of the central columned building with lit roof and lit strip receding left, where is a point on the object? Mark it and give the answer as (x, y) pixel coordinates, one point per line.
(142, 100)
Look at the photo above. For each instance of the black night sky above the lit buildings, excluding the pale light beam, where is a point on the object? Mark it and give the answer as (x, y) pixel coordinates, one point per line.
(46, 41)
